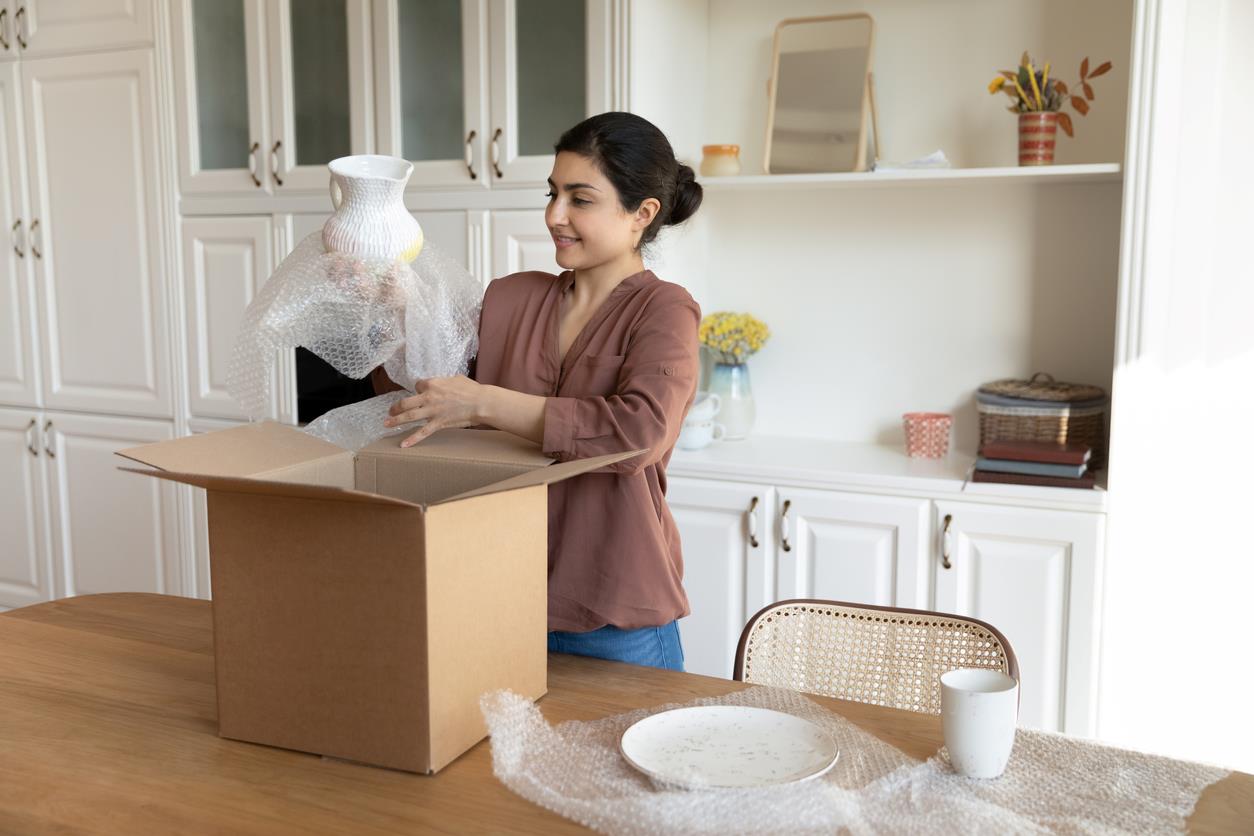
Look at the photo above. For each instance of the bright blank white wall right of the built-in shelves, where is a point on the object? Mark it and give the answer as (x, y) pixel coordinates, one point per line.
(1177, 646)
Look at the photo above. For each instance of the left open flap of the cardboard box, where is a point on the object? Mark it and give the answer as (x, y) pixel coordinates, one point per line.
(246, 451)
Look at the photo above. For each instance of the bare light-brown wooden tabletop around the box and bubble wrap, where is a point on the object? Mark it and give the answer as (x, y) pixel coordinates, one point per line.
(108, 725)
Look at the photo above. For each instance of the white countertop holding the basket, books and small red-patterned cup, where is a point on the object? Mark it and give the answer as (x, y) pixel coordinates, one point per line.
(866, 468)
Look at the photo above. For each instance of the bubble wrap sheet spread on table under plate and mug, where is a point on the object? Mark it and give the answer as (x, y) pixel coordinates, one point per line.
(1054, 784)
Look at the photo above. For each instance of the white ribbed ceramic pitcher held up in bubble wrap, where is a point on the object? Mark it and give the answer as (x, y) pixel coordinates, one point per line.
(371, 217)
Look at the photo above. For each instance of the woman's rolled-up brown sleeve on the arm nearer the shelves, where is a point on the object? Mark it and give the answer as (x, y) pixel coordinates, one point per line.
(656, 385)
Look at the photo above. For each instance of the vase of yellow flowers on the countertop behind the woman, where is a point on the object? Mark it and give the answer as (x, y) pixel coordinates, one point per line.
(733, 339)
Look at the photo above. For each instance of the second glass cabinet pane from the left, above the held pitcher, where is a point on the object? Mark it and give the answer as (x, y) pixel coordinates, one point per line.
(320, 81)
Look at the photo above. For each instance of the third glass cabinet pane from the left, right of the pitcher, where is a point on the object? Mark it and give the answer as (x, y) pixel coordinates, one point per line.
(432, 83)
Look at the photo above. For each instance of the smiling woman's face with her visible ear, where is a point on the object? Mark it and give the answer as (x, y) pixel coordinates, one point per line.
(586, 219)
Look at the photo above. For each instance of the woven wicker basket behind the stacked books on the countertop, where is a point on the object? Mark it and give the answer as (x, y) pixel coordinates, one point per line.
(1062, 424)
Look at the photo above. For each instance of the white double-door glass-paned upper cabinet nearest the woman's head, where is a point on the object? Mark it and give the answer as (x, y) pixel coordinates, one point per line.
(477, 92)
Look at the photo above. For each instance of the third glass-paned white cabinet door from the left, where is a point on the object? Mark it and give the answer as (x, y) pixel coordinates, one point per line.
(432, 90)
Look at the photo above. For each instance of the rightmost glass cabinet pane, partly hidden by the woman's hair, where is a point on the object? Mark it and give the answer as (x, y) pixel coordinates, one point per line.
(552, 72)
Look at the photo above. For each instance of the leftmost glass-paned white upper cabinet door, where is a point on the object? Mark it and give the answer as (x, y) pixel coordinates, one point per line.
(224, 130)
